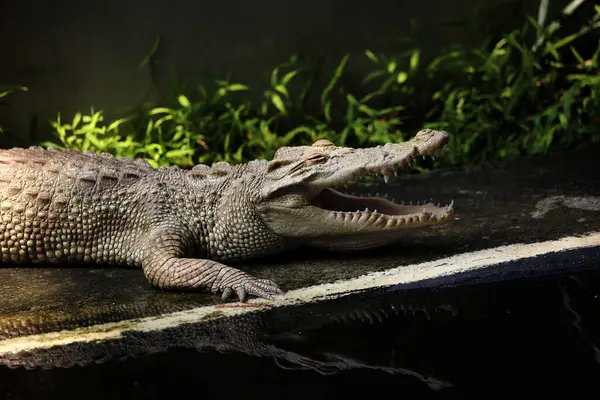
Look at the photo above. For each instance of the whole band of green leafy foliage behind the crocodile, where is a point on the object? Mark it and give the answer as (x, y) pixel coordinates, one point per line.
(500, 100)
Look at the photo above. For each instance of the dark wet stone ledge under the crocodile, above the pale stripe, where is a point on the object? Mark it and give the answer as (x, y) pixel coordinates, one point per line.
(496, 205)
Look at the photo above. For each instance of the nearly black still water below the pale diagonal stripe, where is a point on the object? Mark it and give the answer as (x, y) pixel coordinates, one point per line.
(537, 335)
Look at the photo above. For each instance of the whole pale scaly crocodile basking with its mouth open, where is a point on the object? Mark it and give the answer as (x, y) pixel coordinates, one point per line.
(183, 227)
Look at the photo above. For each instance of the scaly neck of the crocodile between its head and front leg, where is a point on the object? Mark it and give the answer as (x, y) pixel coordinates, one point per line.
(218, 208)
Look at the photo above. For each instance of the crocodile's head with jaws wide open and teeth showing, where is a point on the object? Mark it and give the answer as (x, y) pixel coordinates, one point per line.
(298, 199)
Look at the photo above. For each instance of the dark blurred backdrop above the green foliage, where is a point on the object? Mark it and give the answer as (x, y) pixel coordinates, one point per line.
(73, 55)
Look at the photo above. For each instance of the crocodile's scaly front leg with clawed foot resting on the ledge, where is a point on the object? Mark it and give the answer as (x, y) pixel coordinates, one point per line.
(166, 267)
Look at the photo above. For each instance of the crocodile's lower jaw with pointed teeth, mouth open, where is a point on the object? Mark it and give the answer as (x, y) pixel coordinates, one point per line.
(334, 220)
